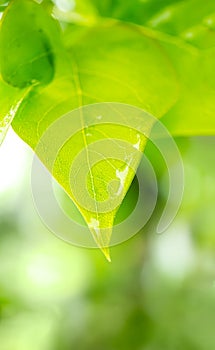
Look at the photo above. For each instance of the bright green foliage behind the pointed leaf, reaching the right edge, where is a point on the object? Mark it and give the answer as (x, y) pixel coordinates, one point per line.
(186, 32)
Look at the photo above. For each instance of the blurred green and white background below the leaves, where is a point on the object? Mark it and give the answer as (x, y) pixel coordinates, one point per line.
(158, 292)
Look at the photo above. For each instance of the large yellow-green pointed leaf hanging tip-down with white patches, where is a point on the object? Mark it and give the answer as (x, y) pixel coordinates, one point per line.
(111, 62)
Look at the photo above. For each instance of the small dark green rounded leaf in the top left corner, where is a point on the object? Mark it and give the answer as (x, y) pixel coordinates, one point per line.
(26, 54)
